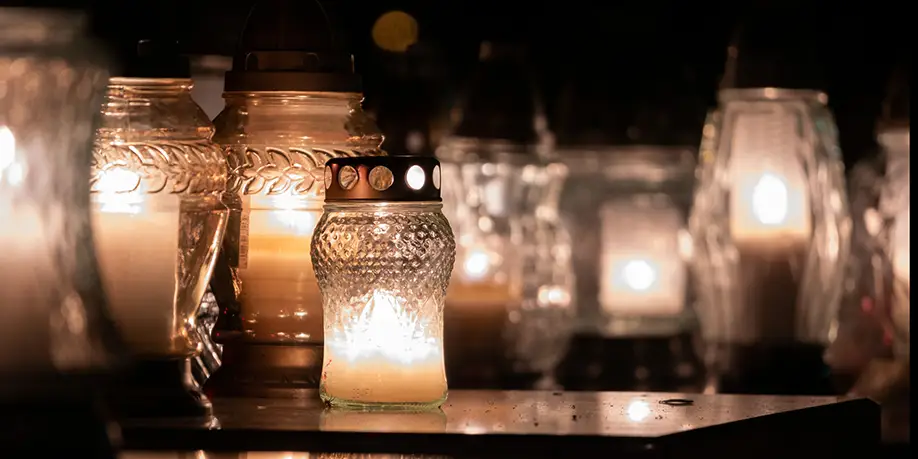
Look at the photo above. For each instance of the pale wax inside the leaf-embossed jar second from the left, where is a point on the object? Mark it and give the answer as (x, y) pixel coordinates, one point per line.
(137, 244)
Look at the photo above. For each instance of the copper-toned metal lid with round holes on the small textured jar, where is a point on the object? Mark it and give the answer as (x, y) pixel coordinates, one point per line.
(382, 179)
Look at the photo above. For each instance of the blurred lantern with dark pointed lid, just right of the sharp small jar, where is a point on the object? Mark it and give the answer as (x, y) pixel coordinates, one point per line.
(509, 305)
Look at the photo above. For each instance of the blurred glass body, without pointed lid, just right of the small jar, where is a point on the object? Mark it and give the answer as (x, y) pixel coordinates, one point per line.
(510, 301)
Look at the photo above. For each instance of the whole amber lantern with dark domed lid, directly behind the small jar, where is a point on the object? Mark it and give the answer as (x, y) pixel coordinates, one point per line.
(292, 102)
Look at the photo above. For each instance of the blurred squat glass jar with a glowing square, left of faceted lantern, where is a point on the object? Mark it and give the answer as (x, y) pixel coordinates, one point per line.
(629, 208)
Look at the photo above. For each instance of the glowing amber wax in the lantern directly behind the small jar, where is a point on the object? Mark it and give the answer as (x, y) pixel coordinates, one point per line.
(280, 296)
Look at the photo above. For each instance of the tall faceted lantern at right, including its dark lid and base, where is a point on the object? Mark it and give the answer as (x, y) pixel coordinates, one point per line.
(770, 223)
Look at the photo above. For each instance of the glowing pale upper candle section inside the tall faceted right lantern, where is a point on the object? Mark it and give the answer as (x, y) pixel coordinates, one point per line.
(769, 201)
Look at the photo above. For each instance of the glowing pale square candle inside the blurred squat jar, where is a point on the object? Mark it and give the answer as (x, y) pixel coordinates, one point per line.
(642, 270)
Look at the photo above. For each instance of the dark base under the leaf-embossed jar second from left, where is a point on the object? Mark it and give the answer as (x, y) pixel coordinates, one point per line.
(161, 390)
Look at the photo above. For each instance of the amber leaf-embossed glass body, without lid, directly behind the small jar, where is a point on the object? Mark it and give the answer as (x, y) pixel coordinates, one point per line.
(276, 145)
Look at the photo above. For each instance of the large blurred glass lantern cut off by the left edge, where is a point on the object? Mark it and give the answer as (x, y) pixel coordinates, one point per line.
(58, 343)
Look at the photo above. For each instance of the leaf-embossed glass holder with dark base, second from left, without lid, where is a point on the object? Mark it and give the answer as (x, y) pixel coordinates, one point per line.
(157, 179)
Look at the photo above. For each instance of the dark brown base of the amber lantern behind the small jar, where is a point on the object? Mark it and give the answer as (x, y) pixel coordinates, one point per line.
(266, 370)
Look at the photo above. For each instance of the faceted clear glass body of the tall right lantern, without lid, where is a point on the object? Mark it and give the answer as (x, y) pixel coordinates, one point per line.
(770, 222)
